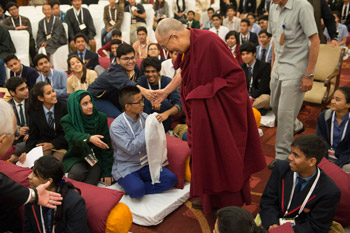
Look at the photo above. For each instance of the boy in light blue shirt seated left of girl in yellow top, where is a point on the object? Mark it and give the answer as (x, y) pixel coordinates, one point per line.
(57, 78)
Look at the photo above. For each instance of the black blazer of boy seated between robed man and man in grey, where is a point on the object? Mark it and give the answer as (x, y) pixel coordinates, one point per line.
(261, 78)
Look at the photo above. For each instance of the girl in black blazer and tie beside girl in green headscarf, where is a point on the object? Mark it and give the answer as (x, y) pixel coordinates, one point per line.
(45, 122)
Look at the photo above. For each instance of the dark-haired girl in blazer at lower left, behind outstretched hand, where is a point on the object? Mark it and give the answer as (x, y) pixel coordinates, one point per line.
(71, 216)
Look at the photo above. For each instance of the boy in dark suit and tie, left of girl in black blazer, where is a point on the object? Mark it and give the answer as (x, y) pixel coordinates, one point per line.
(18, 89)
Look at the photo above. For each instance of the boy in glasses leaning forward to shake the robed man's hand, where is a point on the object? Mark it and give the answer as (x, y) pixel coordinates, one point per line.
(124, 72)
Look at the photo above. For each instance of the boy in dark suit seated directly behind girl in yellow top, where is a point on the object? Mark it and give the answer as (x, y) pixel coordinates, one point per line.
(89, 57)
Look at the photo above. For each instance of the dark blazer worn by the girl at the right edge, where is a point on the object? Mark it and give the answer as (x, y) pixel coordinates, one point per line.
(342, 152)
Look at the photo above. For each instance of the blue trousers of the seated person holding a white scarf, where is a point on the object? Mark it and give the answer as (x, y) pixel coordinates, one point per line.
(139, 183)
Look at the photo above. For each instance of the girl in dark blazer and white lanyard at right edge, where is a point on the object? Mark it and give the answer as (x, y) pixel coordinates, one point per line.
(332, 126)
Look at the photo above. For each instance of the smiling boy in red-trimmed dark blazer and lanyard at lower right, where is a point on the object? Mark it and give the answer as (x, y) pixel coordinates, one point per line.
(299, 191)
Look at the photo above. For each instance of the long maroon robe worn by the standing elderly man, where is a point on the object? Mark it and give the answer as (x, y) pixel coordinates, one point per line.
(222, 133)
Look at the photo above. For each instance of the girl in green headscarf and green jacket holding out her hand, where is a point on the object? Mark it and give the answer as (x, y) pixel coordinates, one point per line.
(89, 157)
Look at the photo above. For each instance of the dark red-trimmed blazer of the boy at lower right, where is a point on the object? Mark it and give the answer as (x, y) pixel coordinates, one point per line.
(319, 211)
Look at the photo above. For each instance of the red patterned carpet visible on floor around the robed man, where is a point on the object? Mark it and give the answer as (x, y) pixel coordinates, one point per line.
(188, 220)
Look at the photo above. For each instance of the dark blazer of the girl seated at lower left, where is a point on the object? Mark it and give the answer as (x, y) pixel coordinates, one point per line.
(74, 217)
